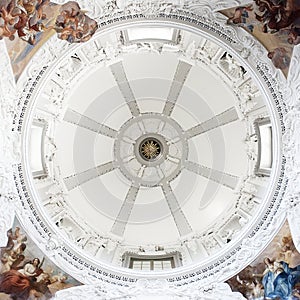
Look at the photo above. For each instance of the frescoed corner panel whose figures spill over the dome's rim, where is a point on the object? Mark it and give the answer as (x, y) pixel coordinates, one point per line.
(27, 25)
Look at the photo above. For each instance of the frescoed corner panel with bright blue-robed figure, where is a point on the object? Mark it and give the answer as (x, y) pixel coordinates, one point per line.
(275, 274)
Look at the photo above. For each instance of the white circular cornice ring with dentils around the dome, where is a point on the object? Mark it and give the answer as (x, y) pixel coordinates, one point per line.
(231, 259)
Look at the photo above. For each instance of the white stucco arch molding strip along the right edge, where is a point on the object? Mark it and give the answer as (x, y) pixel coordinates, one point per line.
(291, 144)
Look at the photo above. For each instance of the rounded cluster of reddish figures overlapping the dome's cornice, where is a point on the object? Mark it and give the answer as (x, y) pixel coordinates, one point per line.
(73, 25)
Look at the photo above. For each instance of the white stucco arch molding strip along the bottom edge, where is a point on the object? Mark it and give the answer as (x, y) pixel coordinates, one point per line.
(153, 289)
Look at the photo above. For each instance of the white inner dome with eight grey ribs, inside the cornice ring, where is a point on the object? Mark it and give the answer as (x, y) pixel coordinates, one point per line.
(152, 147)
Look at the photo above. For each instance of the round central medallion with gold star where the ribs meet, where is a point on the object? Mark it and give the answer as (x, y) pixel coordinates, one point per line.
(150, 149)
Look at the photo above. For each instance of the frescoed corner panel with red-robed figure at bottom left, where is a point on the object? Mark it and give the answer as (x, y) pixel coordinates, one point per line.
(25, 273)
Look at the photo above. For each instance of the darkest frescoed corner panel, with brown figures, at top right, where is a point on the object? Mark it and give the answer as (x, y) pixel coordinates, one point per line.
(275, 23)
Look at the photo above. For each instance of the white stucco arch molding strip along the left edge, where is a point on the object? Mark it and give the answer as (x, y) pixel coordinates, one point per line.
(10, 152)
